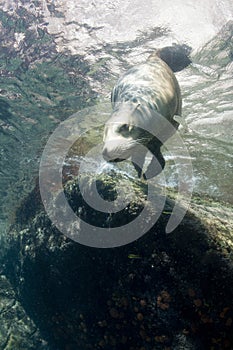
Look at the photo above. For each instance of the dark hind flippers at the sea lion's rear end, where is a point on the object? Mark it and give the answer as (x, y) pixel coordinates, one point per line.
(176, 57)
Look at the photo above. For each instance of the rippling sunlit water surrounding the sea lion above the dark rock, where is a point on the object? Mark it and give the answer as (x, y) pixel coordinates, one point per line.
(58, 57)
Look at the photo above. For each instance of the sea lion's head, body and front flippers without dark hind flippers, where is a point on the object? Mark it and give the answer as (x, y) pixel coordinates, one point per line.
(145, 101)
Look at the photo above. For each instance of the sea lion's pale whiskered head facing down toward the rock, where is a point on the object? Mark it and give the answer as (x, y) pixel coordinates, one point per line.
(121, 136)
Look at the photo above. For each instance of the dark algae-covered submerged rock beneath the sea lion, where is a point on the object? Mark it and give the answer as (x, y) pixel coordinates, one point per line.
(162, 291)
